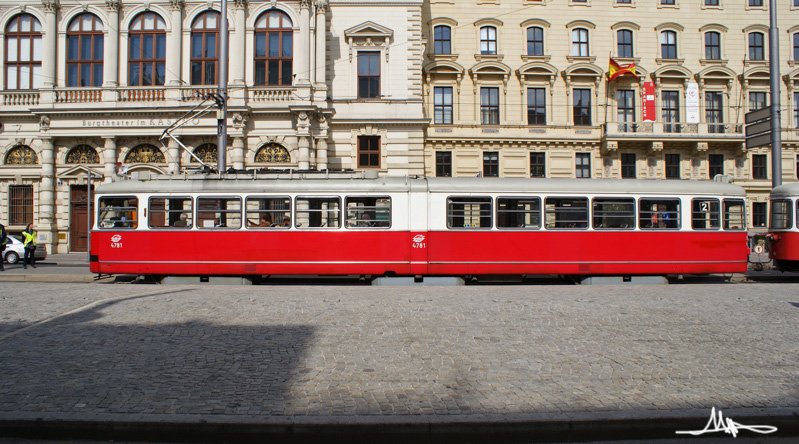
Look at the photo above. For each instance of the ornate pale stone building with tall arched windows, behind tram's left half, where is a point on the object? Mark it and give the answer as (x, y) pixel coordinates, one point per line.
(90, 86)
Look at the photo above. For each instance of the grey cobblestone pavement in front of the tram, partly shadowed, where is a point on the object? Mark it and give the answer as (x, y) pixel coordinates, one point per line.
(337, 352)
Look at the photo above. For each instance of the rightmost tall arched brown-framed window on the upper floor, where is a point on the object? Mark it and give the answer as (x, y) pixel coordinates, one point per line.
(273, 49)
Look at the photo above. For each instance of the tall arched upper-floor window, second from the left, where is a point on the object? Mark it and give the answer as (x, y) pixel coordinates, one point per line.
(85, 51)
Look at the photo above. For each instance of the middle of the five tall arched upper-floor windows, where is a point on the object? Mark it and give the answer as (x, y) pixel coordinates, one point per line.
(147, 41)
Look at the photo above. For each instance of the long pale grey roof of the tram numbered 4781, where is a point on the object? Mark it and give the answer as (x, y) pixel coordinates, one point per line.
(248, 184)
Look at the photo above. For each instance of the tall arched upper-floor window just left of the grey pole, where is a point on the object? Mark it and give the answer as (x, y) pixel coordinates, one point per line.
(204, 47)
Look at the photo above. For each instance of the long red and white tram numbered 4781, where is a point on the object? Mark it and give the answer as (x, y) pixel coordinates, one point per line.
(409, 226)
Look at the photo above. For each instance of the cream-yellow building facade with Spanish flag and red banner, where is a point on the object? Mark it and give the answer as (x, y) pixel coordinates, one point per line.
(519, 89)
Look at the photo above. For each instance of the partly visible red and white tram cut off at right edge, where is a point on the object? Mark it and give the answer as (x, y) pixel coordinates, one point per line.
(784, 227)
